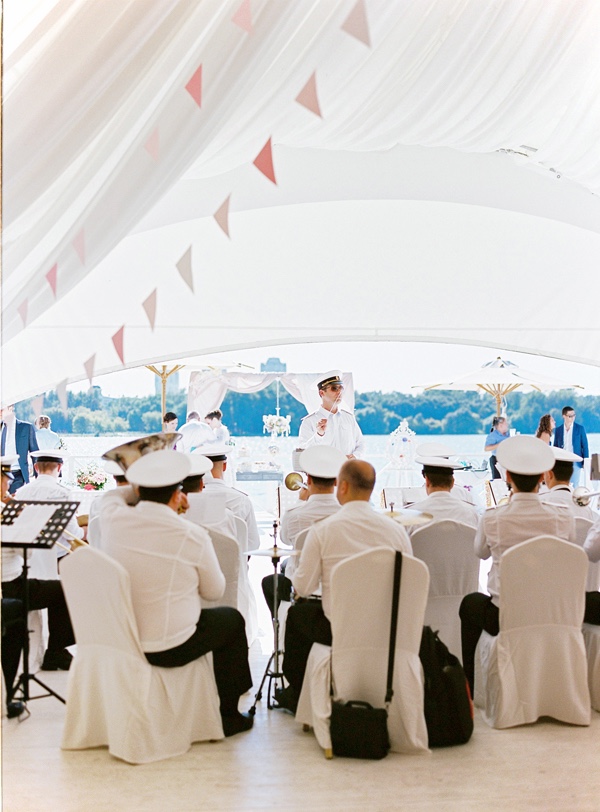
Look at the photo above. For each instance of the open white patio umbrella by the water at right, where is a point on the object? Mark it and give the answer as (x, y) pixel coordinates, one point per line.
(498, 378)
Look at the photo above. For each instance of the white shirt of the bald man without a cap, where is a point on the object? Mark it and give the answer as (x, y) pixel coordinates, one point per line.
(356, 527)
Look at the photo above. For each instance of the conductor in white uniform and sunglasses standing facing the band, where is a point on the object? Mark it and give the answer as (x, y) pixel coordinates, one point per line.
(331, 424)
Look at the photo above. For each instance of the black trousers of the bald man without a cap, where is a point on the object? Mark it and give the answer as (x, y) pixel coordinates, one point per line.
(306, 624)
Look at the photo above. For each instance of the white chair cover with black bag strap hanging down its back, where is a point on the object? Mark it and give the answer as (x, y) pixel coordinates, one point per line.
(361, 597)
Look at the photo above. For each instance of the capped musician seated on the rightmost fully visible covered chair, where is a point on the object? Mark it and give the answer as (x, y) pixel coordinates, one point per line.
(524, 517)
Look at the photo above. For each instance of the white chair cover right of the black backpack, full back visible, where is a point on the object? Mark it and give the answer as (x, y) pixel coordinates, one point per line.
(536, 666)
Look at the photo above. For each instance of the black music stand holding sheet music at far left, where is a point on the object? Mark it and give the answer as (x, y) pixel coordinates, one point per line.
(13, 514)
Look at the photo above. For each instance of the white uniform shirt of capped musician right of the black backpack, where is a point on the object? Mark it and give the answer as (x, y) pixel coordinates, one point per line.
(523, 518)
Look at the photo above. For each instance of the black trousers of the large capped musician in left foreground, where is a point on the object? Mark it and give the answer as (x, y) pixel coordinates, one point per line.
(223, 631)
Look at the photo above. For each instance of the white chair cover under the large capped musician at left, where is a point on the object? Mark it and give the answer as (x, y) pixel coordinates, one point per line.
(115, 697)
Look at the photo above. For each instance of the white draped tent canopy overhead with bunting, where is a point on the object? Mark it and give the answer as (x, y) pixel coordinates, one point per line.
(436, 164)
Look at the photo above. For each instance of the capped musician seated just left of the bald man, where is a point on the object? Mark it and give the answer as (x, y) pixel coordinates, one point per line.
(321, 464)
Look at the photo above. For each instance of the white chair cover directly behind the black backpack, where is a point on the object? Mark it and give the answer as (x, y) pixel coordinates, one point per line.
(447, 547)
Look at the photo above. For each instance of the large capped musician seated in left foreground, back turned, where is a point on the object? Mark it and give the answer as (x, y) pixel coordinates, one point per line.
(172, 566)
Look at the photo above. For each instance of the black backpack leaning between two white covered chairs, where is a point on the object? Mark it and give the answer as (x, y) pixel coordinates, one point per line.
(448, 706)
